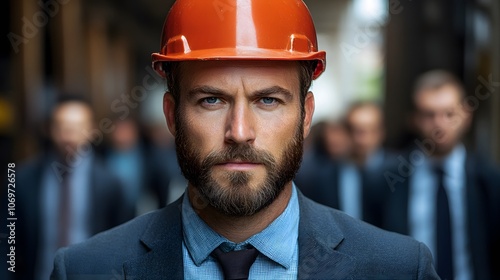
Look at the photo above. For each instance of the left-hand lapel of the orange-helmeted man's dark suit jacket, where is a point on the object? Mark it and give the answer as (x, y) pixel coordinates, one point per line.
(163, 242)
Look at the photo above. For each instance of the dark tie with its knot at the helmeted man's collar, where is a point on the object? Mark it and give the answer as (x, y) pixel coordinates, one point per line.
(235, 264)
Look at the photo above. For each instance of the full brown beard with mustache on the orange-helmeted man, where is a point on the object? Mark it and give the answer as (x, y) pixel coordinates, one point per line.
(239, 198)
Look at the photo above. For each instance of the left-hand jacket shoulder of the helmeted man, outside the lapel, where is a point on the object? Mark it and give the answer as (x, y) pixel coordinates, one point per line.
(104, 254)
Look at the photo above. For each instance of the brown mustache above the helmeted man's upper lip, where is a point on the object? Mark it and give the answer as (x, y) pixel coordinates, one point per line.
(241, 152)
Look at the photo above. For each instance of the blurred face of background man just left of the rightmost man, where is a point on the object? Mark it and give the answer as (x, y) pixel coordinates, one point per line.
(366, 130)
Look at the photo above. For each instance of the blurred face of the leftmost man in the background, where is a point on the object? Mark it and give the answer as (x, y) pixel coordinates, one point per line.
(70, 125)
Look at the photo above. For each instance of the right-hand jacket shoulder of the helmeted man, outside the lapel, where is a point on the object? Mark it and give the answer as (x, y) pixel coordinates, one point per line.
(371, 251)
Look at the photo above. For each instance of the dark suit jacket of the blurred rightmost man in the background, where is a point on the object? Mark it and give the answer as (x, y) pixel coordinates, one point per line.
(483, 214)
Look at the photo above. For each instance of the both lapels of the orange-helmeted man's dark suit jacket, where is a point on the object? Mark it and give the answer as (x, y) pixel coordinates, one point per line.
(318, 240)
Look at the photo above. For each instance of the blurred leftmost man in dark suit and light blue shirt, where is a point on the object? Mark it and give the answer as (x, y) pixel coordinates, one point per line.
(65, 195)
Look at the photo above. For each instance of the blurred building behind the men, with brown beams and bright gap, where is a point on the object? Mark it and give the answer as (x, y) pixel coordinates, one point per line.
(376, 48)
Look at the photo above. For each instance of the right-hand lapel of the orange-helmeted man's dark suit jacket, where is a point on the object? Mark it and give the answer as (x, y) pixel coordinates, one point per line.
(318, 240)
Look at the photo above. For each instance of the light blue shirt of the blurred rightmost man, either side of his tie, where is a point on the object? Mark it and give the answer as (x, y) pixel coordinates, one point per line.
(422, 208)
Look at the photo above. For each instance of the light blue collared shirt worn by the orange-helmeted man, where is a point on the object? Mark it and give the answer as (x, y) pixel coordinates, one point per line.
(277, 244)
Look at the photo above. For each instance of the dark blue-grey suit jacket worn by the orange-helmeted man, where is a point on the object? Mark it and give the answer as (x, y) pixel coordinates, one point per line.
(332, 245)
